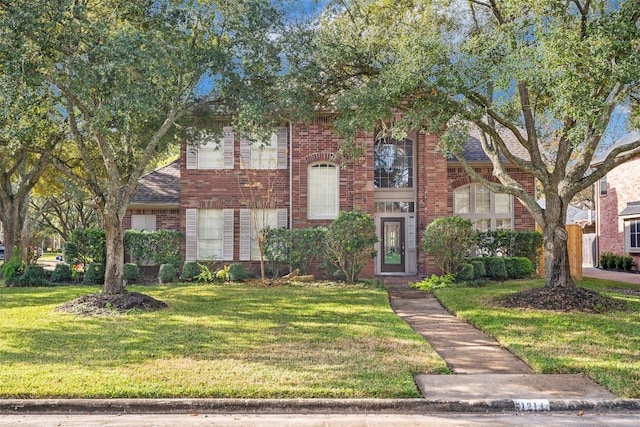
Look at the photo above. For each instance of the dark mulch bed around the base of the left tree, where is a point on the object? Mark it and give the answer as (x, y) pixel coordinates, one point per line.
(101, 304)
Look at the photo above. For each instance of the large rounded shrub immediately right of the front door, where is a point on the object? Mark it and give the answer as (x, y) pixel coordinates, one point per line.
(448, 240)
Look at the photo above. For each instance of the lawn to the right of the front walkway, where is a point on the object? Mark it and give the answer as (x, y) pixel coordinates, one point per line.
(605, 347)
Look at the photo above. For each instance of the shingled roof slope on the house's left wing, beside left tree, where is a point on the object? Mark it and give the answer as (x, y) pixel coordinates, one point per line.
(160, 187)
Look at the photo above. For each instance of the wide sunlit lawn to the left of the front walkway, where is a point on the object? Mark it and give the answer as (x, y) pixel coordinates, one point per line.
(213, 341)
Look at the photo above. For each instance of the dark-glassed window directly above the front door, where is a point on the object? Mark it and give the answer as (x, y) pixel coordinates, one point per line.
(393, 163)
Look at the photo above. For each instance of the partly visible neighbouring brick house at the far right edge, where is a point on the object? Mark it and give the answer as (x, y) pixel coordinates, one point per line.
(617, 198)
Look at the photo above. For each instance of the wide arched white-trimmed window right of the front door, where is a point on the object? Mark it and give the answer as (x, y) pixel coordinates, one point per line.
(486, 209)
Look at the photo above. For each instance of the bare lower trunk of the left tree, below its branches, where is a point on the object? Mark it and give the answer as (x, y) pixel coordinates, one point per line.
(114, 268)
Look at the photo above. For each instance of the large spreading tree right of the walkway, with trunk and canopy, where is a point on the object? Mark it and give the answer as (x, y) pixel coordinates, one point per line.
(546, 74)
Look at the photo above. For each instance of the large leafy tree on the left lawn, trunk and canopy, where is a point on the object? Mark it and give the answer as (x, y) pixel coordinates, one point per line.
(128, 71)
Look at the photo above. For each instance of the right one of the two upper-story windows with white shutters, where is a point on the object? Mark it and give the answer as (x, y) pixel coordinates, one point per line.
(270, 154)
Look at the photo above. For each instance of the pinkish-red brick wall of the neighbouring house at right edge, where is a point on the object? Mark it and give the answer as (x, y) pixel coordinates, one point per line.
(622, 187)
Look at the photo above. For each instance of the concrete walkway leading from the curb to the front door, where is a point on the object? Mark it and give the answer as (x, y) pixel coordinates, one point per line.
(484, 369)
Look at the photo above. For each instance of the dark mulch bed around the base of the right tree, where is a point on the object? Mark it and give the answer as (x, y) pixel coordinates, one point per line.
(561, 299)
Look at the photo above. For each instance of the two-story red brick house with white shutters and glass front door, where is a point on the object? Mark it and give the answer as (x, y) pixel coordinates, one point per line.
(229, 186)
